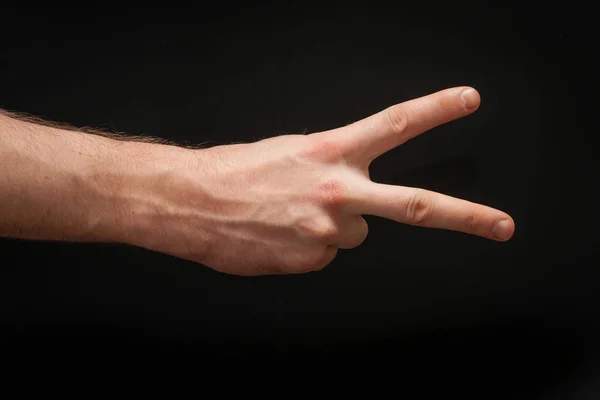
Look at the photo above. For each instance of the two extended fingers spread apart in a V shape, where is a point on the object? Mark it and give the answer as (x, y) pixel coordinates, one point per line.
(367, 139)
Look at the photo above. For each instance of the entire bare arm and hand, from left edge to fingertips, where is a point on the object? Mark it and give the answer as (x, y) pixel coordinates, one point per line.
(281, 205)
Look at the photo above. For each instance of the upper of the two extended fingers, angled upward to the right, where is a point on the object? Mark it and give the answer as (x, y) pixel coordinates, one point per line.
(393, 126)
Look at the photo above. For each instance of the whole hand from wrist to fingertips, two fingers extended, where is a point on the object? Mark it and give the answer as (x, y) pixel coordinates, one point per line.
(288, 203)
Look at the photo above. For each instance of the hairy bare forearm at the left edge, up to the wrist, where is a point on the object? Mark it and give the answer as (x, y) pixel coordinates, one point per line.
(61, 184)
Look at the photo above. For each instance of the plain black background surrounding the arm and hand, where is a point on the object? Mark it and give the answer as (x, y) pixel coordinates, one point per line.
(452, 311)
